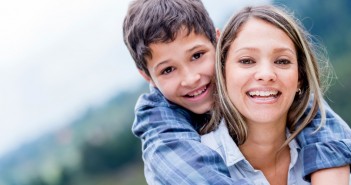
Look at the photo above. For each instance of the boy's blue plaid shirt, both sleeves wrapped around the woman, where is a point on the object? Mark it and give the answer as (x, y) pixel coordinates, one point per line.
(173, 153)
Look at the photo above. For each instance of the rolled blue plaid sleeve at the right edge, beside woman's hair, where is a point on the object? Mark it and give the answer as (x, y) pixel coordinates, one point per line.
(328, 147)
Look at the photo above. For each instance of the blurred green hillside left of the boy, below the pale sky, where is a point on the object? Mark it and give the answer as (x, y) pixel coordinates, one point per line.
(96, 147)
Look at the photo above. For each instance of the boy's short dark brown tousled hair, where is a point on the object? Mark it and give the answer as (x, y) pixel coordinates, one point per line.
(159, 21)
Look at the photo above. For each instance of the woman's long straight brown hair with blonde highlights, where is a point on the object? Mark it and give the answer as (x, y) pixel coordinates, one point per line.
(308, 71)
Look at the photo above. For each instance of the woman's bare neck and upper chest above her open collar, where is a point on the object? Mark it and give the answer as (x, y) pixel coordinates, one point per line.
(263, 150)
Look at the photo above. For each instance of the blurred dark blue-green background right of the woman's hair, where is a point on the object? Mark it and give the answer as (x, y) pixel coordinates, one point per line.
(328, 21)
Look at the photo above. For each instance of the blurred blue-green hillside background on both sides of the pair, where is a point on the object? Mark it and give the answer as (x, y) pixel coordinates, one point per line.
(99, 149)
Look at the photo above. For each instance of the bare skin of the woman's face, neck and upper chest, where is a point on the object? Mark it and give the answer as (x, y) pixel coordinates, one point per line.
(262, 79)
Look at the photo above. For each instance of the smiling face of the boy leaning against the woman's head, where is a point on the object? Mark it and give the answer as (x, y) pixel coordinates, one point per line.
(183, 69)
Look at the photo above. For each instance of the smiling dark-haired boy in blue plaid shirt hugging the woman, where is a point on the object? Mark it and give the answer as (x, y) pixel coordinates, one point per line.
(173, 46)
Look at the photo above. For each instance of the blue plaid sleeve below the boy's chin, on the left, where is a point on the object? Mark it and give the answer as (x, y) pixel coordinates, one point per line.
(172, 151)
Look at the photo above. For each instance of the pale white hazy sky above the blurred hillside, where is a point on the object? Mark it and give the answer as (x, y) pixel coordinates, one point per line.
(60, 57)
